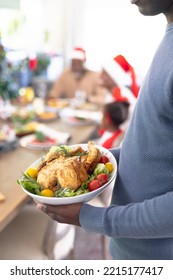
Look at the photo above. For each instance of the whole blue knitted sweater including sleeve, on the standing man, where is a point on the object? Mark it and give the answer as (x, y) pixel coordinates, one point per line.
(140, 217)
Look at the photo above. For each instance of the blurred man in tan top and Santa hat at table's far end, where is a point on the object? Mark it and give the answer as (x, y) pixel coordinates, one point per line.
(77, 80)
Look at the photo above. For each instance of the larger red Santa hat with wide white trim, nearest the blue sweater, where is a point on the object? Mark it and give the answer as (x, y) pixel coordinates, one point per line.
(118, 68)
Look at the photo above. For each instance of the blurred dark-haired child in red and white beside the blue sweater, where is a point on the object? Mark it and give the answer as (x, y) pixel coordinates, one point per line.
(114, 115)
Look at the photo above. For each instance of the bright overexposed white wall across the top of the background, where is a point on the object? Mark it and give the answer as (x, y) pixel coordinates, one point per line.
(103, 27)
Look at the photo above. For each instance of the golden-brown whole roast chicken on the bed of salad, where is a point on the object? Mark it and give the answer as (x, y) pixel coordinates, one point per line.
(68, 170)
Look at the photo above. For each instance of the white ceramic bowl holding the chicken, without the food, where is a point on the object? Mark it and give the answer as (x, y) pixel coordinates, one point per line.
(79, 198)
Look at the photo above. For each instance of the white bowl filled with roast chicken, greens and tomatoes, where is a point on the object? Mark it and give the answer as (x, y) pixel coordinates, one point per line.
(69, 174)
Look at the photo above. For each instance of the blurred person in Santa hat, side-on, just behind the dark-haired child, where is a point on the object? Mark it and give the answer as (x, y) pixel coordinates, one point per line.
(119, 77)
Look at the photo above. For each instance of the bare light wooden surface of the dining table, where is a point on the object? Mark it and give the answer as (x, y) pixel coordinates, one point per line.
(13, 162)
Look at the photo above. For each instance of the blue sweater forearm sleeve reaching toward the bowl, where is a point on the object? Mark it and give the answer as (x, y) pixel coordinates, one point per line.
(148, 219)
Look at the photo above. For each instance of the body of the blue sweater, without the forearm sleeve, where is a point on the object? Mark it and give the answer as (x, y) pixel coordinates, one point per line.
(146, 158)
